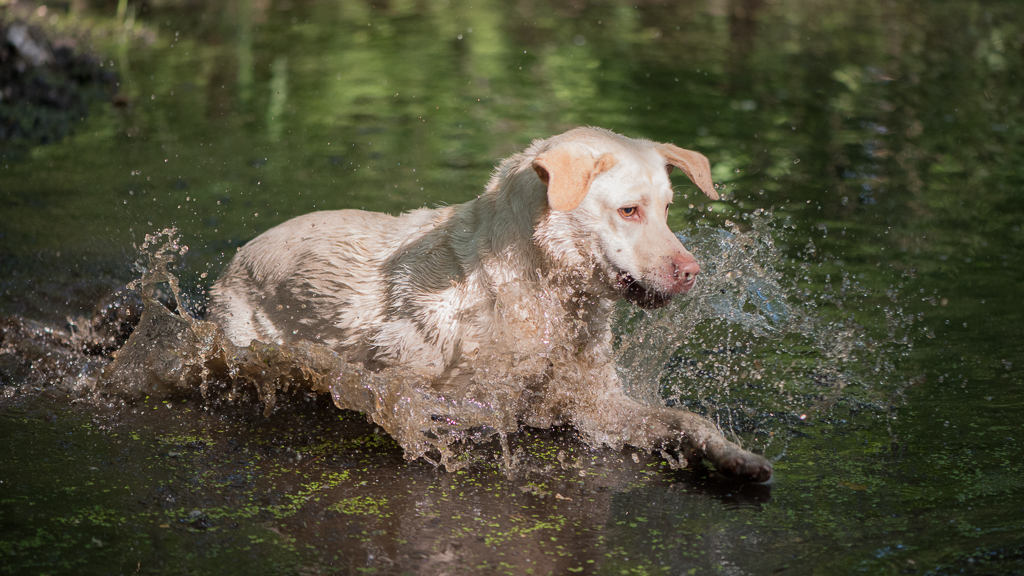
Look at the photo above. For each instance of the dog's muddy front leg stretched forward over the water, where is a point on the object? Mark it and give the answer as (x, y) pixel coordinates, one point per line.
(614, 419)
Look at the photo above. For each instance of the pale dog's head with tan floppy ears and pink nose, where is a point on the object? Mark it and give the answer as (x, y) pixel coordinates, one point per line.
(610, 198)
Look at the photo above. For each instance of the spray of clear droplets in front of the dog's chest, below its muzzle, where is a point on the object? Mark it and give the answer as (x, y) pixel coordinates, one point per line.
(751, 348)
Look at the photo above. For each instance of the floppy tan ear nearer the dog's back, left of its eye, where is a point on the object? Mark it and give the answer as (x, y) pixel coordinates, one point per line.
(569, 175)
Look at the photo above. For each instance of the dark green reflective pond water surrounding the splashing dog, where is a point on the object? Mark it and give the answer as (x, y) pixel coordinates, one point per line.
(872, 347)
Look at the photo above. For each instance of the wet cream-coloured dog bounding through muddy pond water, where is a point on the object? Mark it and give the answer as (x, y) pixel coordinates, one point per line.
(514, 292)
